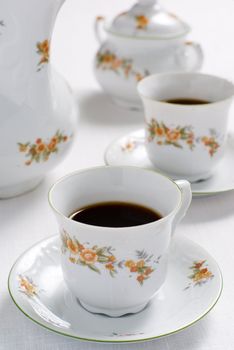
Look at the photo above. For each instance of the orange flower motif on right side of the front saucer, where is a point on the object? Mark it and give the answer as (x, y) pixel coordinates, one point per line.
(200, 274)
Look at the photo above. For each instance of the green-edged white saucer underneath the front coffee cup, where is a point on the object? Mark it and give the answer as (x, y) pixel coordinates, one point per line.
(192, 288)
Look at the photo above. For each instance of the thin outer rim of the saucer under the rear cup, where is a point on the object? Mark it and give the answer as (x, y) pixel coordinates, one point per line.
(194, 192)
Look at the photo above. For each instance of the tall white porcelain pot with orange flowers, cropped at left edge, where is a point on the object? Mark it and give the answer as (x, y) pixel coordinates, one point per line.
(38, 115)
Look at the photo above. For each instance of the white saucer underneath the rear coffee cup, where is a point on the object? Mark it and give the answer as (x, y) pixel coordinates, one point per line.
(130, 150)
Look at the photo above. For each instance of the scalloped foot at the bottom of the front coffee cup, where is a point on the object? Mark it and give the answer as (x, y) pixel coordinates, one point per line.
(113, 312)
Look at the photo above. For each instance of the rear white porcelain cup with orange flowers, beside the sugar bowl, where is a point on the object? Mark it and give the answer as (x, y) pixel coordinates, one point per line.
(186, 141)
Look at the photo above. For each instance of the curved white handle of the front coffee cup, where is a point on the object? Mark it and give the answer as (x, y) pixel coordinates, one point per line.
(186, 197)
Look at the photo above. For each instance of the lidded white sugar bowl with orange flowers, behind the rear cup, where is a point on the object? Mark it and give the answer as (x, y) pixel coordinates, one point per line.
(141, 41)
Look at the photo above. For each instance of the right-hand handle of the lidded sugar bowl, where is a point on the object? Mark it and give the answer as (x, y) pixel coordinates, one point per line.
(190, 57)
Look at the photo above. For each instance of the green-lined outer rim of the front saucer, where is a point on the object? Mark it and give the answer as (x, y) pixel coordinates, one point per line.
(92, 340)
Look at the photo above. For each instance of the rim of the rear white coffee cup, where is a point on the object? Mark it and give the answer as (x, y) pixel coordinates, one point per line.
(177, 74)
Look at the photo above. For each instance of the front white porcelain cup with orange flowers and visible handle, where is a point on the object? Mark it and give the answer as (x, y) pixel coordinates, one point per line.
(116, 271)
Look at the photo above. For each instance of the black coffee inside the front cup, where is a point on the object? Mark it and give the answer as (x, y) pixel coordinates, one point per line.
(115, 214)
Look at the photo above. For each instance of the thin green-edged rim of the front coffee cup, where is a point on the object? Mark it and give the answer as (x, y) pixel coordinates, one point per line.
(77, 172)
